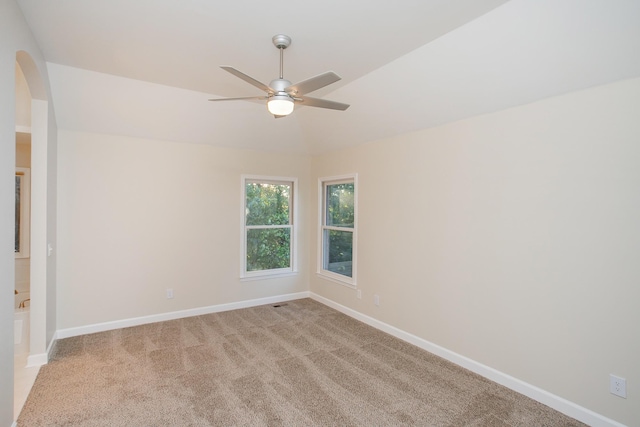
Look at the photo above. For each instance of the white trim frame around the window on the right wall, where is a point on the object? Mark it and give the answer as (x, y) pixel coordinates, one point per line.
(350, 282)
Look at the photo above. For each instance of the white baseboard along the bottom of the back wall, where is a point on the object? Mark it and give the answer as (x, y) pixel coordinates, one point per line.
(126, 323)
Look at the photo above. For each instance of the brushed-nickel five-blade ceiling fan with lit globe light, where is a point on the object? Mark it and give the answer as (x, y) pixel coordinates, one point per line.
(281, 94)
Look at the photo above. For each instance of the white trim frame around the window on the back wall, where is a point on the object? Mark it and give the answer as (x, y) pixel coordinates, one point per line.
(293, 212)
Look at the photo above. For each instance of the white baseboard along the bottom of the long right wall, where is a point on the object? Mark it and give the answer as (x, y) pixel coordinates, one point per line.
(556, 402)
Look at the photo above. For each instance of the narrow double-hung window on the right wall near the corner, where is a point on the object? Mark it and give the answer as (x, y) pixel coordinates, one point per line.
(338, 204)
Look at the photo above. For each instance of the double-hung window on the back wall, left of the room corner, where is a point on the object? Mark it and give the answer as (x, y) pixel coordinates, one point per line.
(268, 239)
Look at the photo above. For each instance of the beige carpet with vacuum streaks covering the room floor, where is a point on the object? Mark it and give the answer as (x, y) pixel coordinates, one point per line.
(297, 364)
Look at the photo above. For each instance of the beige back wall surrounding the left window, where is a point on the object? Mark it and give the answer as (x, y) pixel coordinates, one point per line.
(139, 216)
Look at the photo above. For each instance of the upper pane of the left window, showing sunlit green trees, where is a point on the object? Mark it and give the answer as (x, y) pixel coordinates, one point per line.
(267, 204)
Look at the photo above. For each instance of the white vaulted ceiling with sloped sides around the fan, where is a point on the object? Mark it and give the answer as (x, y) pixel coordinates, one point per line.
(146, 67)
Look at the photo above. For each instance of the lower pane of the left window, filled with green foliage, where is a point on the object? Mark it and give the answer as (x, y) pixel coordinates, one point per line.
(268, 249)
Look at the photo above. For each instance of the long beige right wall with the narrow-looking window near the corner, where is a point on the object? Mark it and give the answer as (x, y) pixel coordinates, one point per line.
(511, 239)
